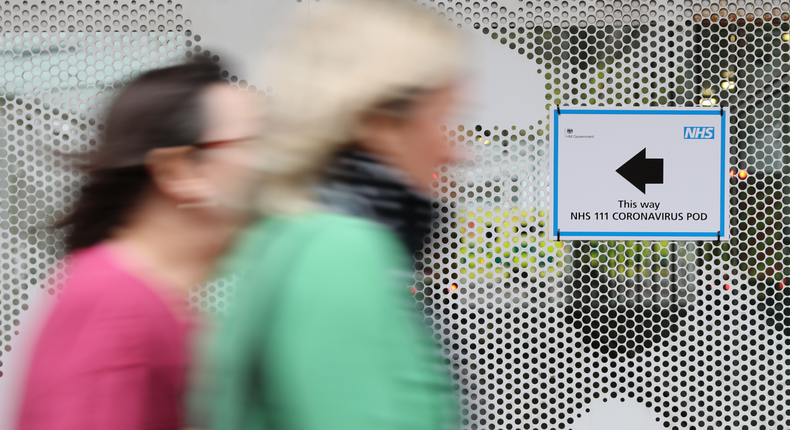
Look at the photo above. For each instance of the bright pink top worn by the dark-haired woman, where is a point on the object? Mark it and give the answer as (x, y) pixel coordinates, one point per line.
(112, 355)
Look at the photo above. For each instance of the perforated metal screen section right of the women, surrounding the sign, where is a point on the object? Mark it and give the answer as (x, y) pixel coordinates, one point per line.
(536, 330)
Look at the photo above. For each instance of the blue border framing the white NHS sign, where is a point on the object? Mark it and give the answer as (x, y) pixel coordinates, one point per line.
(722, 196)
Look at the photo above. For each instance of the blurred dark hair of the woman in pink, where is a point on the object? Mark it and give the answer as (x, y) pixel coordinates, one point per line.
(159, 109)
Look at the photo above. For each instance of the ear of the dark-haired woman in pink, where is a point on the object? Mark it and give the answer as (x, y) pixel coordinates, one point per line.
(174, 174)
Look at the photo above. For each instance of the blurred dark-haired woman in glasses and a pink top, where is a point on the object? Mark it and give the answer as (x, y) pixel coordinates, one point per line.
(164, 198)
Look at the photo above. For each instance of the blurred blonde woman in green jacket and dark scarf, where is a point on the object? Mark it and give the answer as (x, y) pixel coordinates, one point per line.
(324, 334)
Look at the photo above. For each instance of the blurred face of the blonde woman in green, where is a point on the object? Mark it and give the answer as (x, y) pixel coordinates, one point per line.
(415, 144)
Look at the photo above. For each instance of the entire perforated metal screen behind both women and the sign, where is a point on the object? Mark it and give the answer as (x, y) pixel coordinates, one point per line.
(534, 330)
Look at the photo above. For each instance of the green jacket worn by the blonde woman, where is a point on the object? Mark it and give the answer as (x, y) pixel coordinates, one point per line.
(323, 333)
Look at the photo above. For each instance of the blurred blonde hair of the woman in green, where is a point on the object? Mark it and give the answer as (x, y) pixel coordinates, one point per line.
(353, 56)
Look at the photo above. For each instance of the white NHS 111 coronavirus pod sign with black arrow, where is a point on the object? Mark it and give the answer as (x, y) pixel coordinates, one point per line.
(639, 173)
